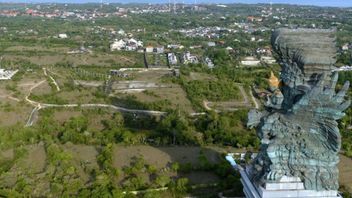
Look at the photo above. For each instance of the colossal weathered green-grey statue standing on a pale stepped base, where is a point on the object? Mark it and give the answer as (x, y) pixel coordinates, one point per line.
(299, 132)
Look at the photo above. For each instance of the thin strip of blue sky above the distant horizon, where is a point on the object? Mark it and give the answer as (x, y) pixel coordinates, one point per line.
(334, 3)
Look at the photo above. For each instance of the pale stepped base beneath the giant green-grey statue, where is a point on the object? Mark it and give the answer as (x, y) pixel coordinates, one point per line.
(286, 187)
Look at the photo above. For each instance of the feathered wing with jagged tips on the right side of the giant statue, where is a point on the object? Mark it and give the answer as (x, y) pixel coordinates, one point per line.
(324, 106)
